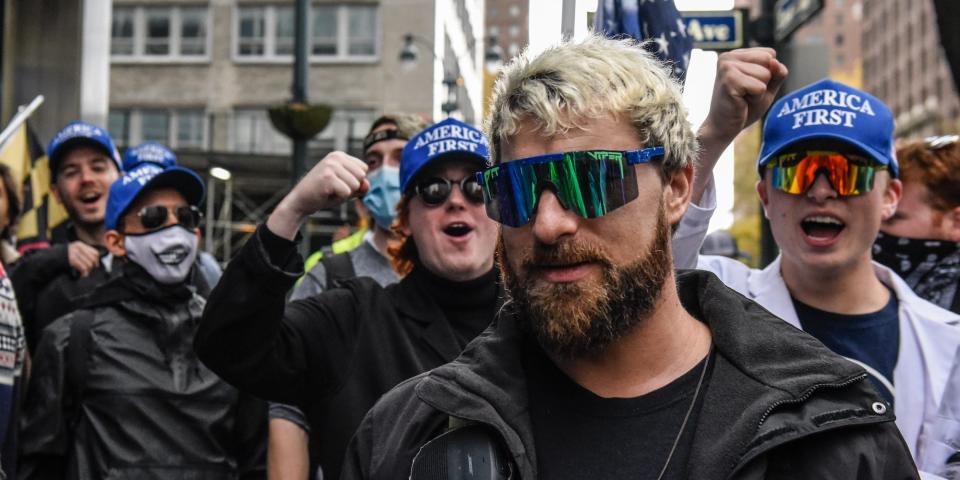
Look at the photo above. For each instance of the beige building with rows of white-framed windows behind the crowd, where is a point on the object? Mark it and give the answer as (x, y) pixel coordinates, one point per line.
(200, 75)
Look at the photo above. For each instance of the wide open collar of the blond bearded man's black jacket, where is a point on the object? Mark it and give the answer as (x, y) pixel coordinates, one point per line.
(762, 363)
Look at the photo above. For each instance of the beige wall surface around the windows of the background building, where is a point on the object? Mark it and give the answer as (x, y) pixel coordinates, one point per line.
(226, 82)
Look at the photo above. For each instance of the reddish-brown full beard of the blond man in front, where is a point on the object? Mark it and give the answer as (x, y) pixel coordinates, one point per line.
(581, 321)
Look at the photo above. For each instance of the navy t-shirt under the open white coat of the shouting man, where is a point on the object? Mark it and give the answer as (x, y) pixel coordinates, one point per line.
(871, 340)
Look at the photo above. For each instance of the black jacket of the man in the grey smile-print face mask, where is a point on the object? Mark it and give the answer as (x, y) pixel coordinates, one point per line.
(147, 407)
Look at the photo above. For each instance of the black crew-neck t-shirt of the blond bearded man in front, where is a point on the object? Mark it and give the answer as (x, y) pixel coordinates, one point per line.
(581, 435)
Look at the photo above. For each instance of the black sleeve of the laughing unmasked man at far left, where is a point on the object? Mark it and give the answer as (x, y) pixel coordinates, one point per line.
(30, 273)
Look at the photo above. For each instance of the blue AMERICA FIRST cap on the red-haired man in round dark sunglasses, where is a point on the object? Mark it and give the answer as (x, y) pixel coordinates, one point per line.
(449, 138)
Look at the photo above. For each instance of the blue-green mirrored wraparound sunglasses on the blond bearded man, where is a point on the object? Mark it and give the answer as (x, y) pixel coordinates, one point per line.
(589, 183)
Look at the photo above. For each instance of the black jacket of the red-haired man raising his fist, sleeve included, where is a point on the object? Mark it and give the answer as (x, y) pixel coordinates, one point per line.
(334, 354)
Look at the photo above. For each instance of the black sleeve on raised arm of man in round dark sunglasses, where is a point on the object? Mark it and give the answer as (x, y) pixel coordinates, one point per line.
(253, 340)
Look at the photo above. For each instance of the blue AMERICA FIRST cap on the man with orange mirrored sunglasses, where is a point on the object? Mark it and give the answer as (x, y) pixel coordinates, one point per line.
(830, 110)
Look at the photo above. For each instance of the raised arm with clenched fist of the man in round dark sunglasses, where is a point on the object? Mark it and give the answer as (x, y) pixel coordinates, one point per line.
(248, 335)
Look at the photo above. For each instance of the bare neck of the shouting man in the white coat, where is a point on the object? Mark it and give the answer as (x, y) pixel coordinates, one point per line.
(850, 289)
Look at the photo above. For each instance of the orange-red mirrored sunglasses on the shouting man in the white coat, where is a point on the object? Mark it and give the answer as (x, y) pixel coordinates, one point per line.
(849, 174)
